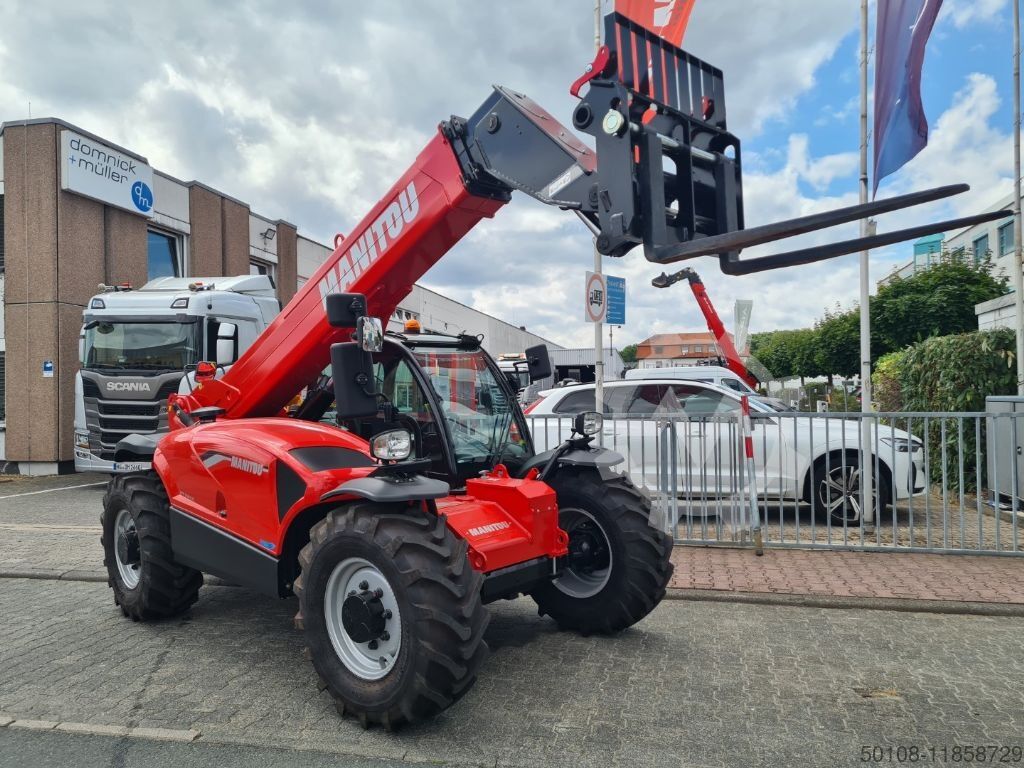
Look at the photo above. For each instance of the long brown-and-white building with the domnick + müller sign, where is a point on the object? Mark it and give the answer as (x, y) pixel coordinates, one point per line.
(76, 211)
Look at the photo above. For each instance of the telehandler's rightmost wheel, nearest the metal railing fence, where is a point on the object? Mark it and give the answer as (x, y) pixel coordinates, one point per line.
(619, 565)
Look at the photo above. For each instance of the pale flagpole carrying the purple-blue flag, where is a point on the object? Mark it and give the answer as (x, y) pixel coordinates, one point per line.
(866, 315)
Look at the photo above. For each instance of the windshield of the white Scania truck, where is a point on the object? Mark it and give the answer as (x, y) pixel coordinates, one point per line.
(165, 347)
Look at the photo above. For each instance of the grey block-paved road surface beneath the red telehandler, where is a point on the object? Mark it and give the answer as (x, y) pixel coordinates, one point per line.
(696, 685)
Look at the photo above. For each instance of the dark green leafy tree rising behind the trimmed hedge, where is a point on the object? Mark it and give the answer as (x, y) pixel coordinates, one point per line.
(936, 302)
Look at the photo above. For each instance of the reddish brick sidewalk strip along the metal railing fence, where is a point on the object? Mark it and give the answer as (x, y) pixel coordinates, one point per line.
(870, 575)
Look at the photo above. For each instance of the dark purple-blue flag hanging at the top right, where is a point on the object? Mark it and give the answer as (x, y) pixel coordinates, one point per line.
(901, 125)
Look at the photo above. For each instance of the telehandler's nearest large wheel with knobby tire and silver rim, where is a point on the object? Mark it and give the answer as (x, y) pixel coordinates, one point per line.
(392, 612)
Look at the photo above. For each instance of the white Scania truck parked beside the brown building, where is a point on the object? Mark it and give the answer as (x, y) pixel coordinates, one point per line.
(137, 346)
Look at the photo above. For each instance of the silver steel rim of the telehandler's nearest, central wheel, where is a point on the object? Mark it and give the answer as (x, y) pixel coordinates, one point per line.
(360, 659)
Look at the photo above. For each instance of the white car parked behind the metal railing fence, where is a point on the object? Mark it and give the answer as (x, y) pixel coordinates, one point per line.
(808, 458)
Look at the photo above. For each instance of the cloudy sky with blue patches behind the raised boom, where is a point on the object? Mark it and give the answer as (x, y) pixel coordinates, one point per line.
(312, 114)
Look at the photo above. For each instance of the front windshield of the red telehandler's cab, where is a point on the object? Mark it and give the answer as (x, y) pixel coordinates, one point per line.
(480, 414)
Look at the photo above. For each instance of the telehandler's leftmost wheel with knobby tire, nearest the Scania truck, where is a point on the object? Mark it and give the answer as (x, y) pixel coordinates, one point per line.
(148, 583)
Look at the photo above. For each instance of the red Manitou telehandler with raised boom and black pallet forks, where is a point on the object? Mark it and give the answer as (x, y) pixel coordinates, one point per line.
(422, 498)
